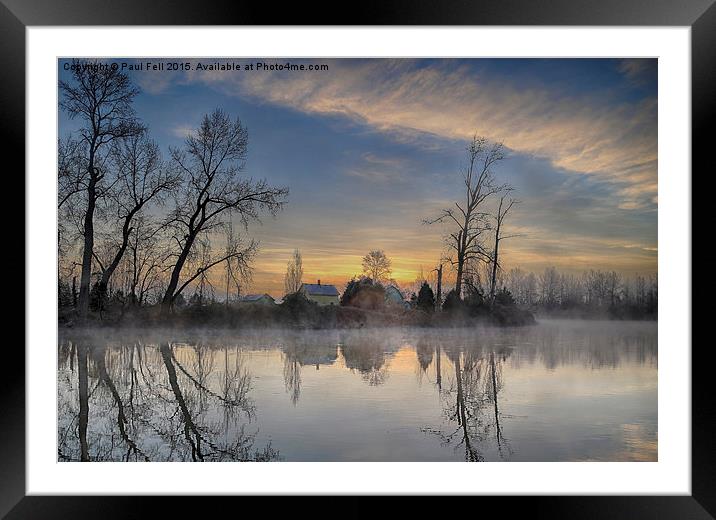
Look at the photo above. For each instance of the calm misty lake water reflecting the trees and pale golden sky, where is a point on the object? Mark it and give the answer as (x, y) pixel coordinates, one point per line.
(557, 391)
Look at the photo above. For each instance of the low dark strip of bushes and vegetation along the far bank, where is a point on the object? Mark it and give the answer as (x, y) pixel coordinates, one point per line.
(363, 304)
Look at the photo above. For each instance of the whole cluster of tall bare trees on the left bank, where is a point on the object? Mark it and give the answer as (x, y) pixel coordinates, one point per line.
(137, 223)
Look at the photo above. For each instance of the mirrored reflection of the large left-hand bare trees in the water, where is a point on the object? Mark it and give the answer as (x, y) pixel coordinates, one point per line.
(118, 408)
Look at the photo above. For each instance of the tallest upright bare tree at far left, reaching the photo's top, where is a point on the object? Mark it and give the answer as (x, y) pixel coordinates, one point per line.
(101, 97)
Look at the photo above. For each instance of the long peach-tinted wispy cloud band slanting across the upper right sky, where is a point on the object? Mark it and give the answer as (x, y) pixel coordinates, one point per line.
(582, 133)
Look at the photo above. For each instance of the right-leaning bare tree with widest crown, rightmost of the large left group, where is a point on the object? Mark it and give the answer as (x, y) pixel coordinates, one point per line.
(210, 163)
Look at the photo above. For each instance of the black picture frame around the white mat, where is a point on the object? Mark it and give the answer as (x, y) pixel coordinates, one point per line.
(700, 15)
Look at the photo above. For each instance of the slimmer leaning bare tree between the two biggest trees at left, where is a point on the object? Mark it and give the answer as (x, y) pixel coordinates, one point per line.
(140, 179)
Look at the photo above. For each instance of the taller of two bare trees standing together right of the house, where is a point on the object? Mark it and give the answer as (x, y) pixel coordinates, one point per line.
(470, 221)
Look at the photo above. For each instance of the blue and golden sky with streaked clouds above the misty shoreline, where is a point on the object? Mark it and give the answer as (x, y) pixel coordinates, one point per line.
(371, 147)
